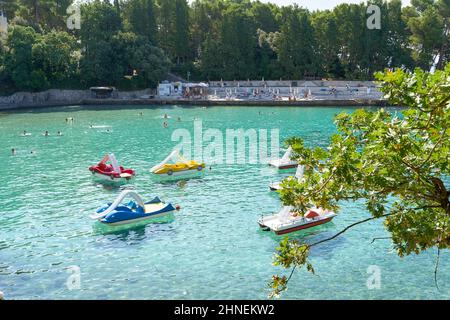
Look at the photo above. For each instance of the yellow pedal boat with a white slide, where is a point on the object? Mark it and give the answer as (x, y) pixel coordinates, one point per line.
(180, 168)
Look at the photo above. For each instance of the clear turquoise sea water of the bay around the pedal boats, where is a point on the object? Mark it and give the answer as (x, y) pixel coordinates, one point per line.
(212, 249)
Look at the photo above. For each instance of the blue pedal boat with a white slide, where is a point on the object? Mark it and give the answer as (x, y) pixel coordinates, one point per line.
(117, 213)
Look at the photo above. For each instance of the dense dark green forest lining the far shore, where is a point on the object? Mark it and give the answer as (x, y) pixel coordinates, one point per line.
(133, 44)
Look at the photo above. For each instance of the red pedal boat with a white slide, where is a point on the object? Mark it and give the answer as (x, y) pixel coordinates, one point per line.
(112, 172)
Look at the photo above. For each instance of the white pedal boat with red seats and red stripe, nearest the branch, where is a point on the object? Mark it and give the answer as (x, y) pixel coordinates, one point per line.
(287, 220)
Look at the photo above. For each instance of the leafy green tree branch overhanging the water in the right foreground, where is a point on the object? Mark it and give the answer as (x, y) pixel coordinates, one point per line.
(379, 156)
